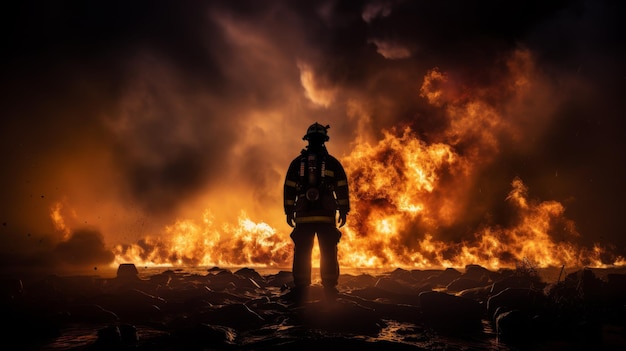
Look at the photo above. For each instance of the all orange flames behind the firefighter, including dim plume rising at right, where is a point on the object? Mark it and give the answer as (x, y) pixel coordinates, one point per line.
(406, 192)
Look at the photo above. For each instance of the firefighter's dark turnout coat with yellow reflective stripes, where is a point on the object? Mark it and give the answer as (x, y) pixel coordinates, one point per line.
(316, 187)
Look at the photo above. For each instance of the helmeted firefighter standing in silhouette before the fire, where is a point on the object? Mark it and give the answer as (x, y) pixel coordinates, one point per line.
(315, 191)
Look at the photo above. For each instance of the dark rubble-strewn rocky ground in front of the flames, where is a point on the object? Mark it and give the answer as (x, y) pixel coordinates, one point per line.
(470, 309)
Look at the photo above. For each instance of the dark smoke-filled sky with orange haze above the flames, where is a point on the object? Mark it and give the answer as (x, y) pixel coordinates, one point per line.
(122, 117)
